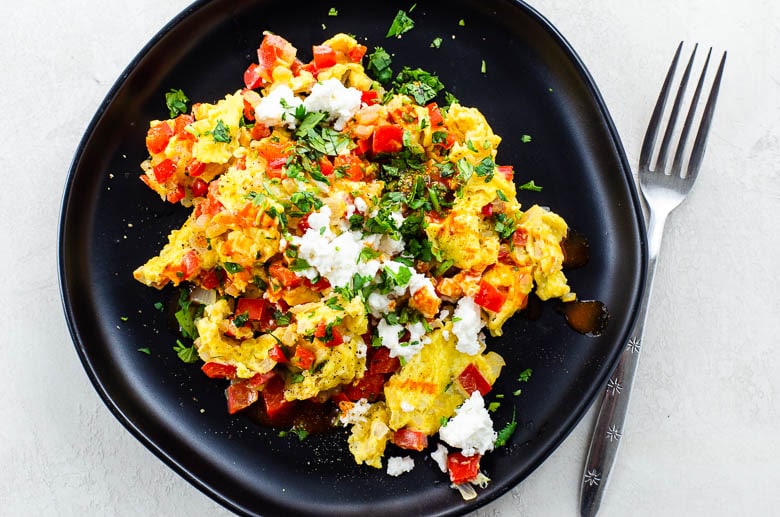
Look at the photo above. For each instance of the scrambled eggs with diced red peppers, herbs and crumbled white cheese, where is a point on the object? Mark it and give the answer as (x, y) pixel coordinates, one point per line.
(348, 242)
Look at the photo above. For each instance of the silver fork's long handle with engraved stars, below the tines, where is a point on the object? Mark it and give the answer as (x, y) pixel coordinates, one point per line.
(608, 430)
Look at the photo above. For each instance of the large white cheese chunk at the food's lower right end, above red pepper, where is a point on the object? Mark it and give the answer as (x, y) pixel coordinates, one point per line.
(471, 429)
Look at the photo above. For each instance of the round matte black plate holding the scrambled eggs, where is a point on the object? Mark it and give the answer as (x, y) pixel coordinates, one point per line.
(534, 84)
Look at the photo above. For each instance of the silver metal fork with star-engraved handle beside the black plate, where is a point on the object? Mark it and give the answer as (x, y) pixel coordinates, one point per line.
(663, 190)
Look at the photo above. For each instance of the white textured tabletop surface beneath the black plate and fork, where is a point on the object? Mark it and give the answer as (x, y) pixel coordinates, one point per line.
(703, 432)
